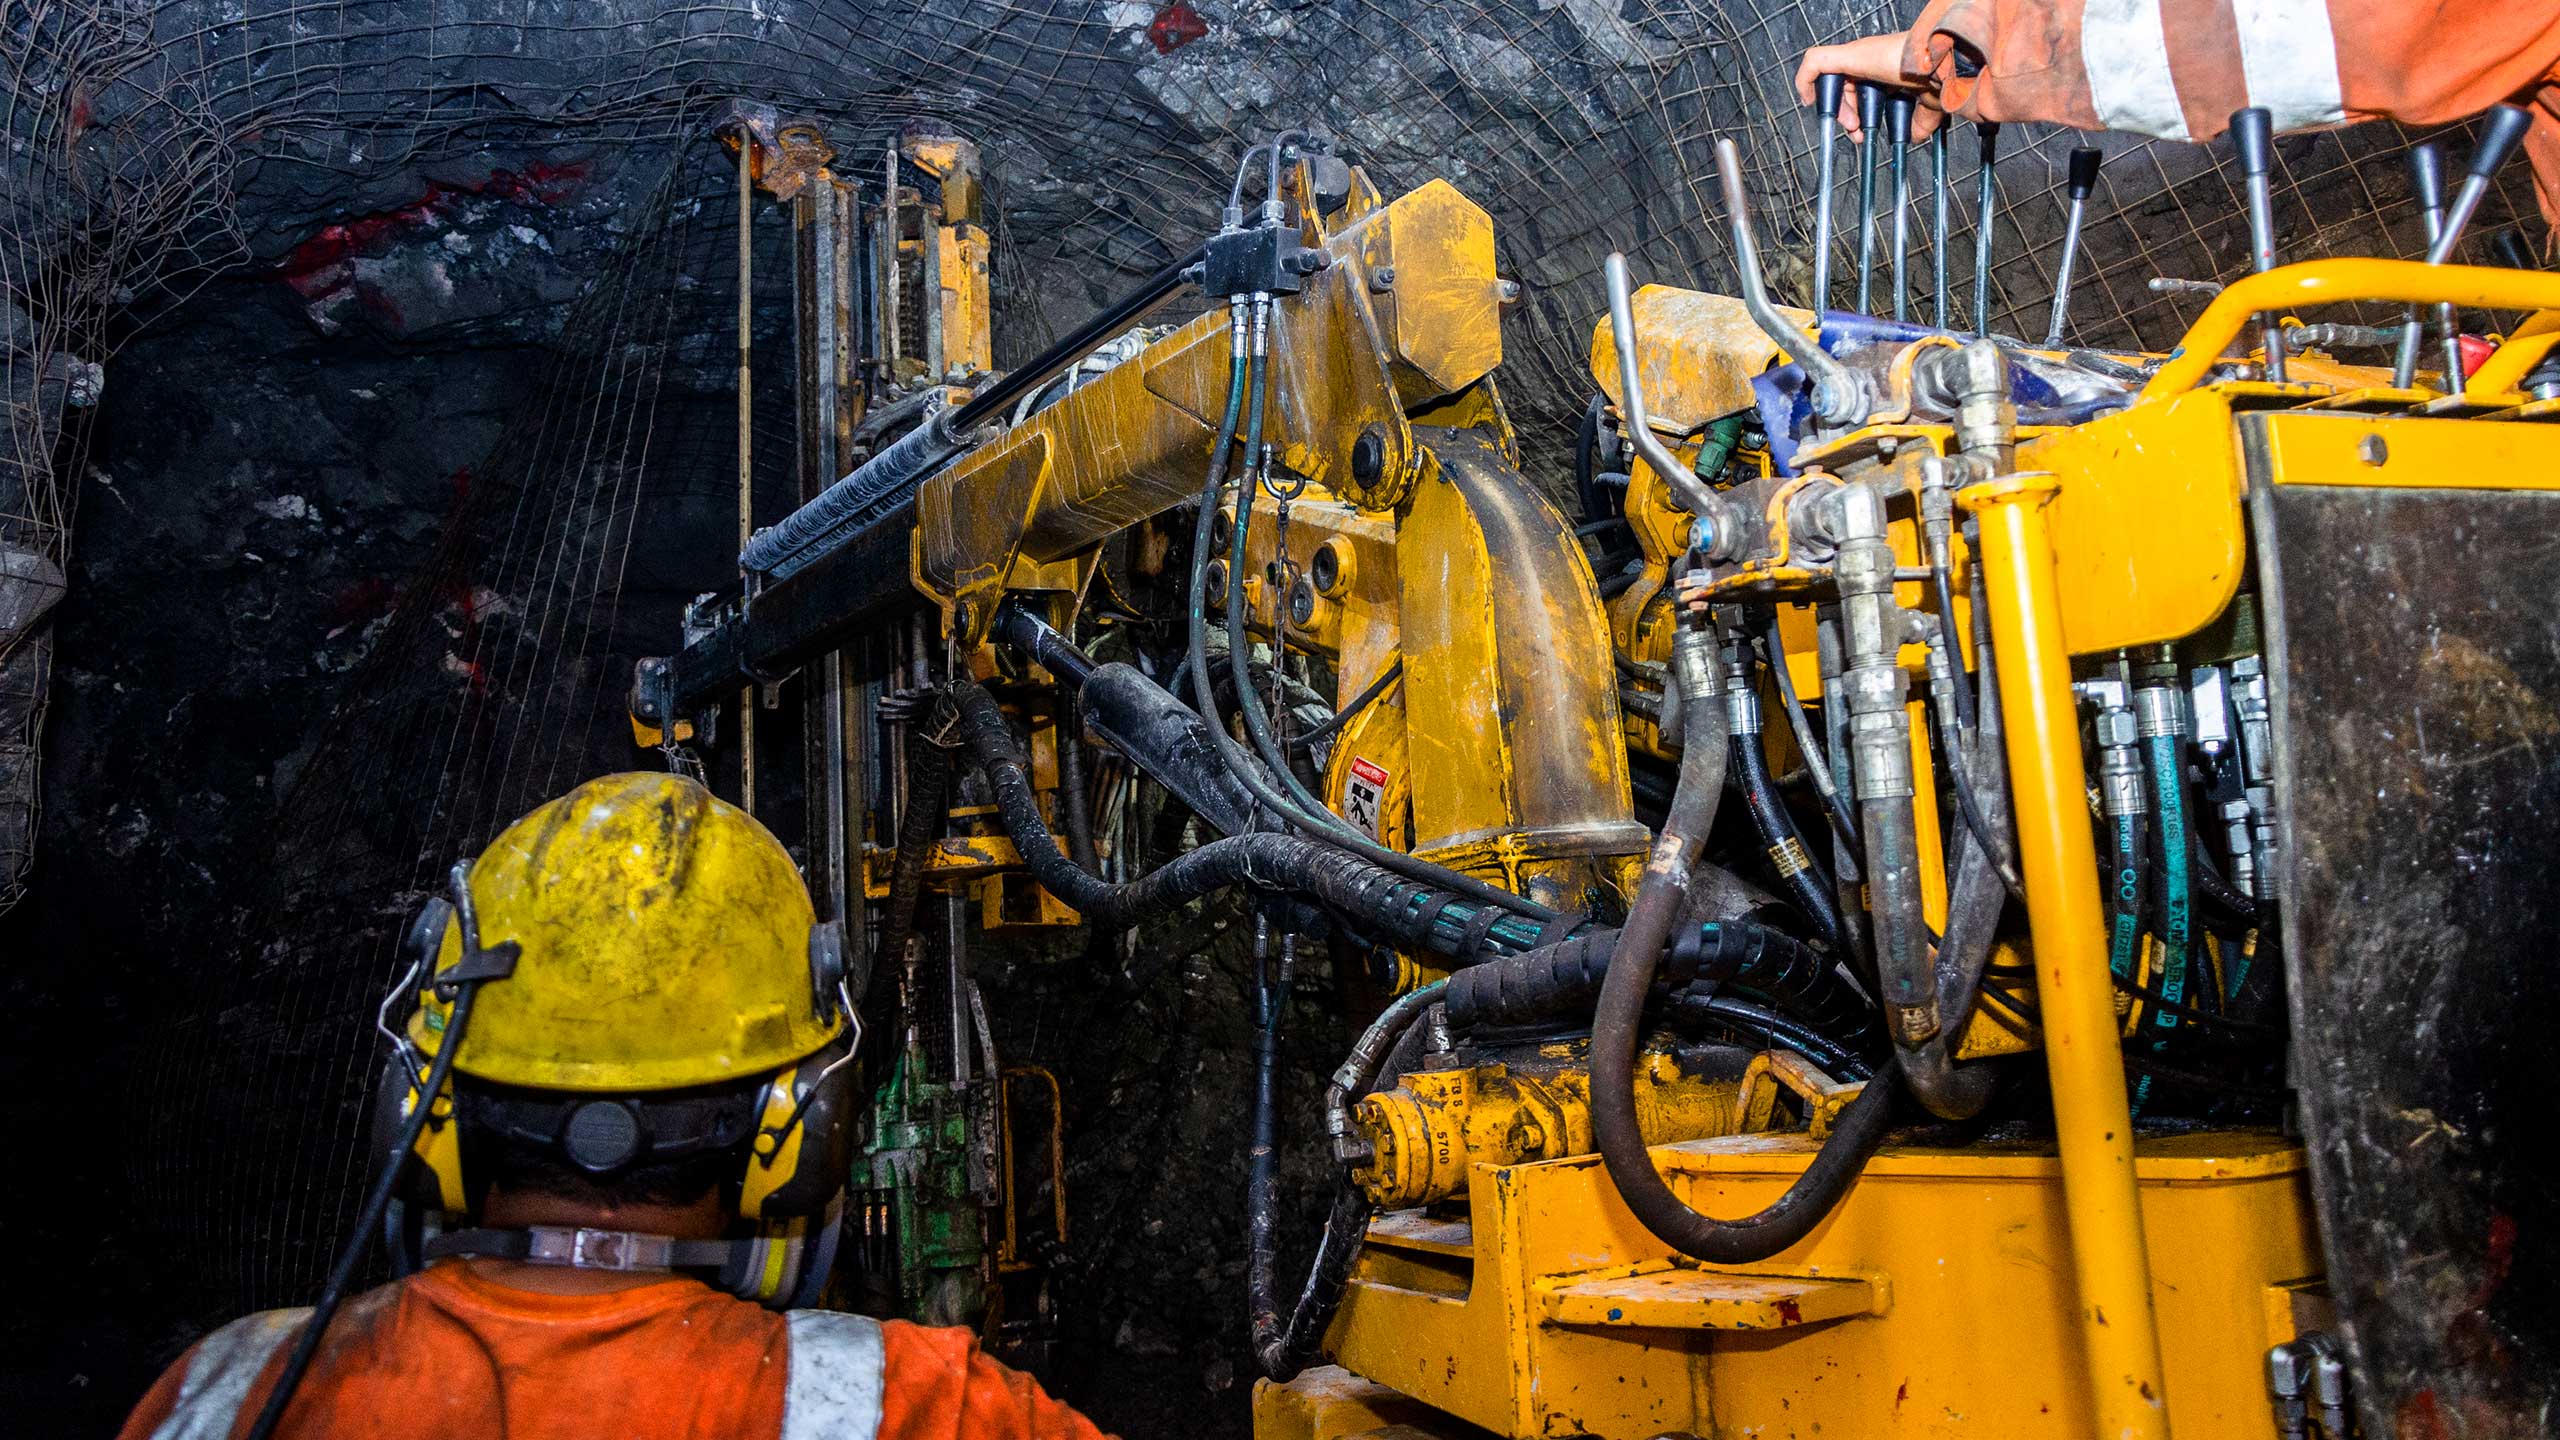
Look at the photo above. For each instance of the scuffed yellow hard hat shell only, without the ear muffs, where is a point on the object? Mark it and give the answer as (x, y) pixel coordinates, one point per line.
(667, 942)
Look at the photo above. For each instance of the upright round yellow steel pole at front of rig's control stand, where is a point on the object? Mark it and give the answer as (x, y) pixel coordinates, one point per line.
(2072, 990)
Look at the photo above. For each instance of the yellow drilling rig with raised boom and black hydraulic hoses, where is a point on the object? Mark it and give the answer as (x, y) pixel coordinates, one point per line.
(1978, 890)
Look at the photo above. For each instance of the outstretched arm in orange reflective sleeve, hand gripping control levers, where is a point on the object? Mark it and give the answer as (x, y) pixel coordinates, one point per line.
(2180, 68)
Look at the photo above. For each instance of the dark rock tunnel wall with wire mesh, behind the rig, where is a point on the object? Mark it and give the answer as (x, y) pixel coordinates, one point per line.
(383, 357)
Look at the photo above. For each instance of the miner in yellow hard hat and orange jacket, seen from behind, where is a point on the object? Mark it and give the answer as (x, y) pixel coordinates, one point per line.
(618, 1136)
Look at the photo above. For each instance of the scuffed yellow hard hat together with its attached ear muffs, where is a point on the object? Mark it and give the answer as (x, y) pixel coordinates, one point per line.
(562, 883)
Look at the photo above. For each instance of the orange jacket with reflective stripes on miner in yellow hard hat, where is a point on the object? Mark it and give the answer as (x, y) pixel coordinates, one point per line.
(452, 1354)
